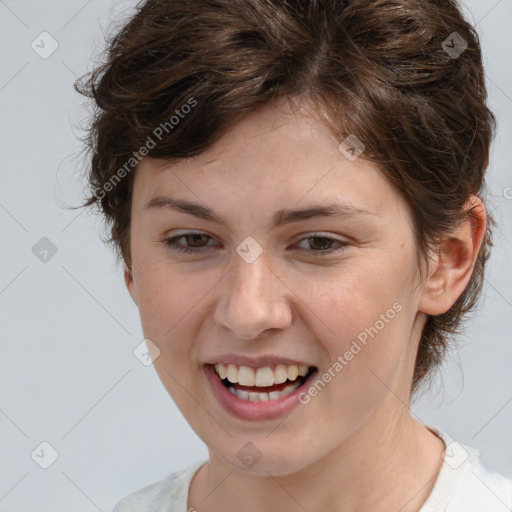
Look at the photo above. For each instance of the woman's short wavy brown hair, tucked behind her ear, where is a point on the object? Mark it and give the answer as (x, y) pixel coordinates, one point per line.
(381, 70)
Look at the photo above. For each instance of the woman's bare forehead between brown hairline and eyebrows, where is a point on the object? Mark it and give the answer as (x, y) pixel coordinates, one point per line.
(277, 156)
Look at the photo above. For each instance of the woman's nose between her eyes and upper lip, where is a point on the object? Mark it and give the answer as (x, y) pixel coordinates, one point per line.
(254, 300)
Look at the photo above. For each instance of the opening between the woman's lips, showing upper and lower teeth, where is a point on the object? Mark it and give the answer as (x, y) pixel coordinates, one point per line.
(262, 384)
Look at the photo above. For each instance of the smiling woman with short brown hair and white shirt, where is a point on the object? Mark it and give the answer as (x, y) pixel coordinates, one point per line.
(295, 189)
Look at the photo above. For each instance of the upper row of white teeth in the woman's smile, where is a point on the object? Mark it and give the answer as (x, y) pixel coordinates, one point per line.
(263, 377)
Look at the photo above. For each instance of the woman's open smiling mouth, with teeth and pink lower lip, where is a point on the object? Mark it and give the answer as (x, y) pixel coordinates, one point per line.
(262, 393)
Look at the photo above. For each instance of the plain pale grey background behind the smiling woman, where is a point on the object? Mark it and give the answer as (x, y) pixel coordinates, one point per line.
(68, 375)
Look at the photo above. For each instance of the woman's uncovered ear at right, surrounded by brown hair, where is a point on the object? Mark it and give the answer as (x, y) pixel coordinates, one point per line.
(455, 261)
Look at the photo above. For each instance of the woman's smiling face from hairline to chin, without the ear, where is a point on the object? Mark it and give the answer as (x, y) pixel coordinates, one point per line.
(268, 289)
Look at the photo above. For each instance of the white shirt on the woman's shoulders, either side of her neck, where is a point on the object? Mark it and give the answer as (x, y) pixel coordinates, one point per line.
(462, 485)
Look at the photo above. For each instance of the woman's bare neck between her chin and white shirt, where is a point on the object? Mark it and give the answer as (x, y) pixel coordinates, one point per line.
(385, 465)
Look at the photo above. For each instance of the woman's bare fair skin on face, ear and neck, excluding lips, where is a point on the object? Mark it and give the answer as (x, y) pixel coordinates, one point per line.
(355, 446)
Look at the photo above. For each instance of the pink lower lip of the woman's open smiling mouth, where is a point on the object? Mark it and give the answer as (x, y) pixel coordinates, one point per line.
(246, 410)
